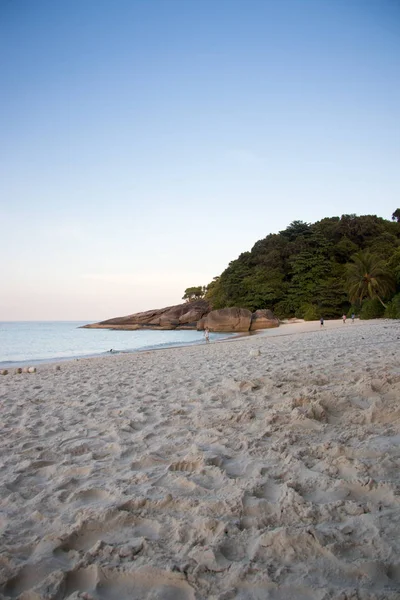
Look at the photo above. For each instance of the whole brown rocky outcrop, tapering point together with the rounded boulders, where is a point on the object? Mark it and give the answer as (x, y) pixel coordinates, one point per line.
(193, 315)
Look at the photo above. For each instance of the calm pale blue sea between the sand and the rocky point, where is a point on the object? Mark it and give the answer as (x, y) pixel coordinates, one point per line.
(35, 341)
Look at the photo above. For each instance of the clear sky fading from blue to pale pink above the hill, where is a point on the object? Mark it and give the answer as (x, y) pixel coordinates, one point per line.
(145, 144)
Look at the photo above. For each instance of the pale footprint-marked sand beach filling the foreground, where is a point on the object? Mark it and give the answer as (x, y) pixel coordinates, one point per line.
(208, 472)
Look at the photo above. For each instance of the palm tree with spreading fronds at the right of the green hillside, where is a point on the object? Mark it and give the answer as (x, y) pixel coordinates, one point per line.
(368, 277)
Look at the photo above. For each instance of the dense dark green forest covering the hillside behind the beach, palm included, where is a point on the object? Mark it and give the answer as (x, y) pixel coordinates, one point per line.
(337, 265)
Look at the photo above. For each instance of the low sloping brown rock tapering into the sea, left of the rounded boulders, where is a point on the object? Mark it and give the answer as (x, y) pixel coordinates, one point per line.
(181, 316)
